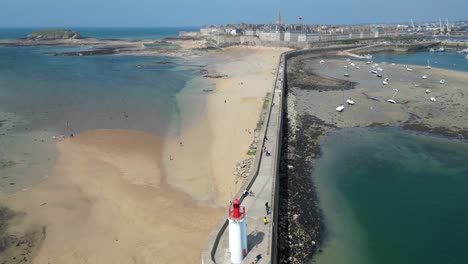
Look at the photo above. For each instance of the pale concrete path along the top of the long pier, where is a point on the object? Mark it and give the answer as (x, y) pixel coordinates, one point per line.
(259, 239)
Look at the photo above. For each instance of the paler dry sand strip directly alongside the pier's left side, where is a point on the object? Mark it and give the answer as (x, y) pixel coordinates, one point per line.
(226, 130)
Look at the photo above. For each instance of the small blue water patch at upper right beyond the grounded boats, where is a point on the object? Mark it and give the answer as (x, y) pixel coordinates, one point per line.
(445, 60)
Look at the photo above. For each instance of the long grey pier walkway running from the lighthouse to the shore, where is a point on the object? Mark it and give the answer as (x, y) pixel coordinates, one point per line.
(262, 187)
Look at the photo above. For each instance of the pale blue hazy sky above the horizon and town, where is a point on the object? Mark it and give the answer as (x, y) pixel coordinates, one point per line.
(179, 13)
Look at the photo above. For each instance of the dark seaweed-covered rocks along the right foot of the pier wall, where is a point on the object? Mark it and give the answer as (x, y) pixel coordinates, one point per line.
(300, 226)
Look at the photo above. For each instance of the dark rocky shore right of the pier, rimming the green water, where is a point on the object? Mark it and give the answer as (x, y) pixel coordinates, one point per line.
(301, 228)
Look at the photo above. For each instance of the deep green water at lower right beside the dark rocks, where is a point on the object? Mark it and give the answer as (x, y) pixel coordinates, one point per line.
(390, 196)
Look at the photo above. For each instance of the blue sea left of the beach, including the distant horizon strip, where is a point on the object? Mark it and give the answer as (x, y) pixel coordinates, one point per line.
(44, 96)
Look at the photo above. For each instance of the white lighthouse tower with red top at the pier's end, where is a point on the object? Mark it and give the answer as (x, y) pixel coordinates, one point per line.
(237, 232)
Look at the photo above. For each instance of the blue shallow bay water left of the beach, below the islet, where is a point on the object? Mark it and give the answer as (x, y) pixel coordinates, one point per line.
(90, 92)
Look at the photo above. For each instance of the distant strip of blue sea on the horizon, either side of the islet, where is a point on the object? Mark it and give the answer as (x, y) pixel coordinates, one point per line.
(105, 33)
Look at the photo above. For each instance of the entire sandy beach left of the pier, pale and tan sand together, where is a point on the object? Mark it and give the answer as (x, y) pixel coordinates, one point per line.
(120, 196)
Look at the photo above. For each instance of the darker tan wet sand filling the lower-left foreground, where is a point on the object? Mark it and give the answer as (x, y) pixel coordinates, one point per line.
(106, 202)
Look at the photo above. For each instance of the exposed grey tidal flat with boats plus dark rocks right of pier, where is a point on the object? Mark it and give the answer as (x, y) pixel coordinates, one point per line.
(313, 90)
